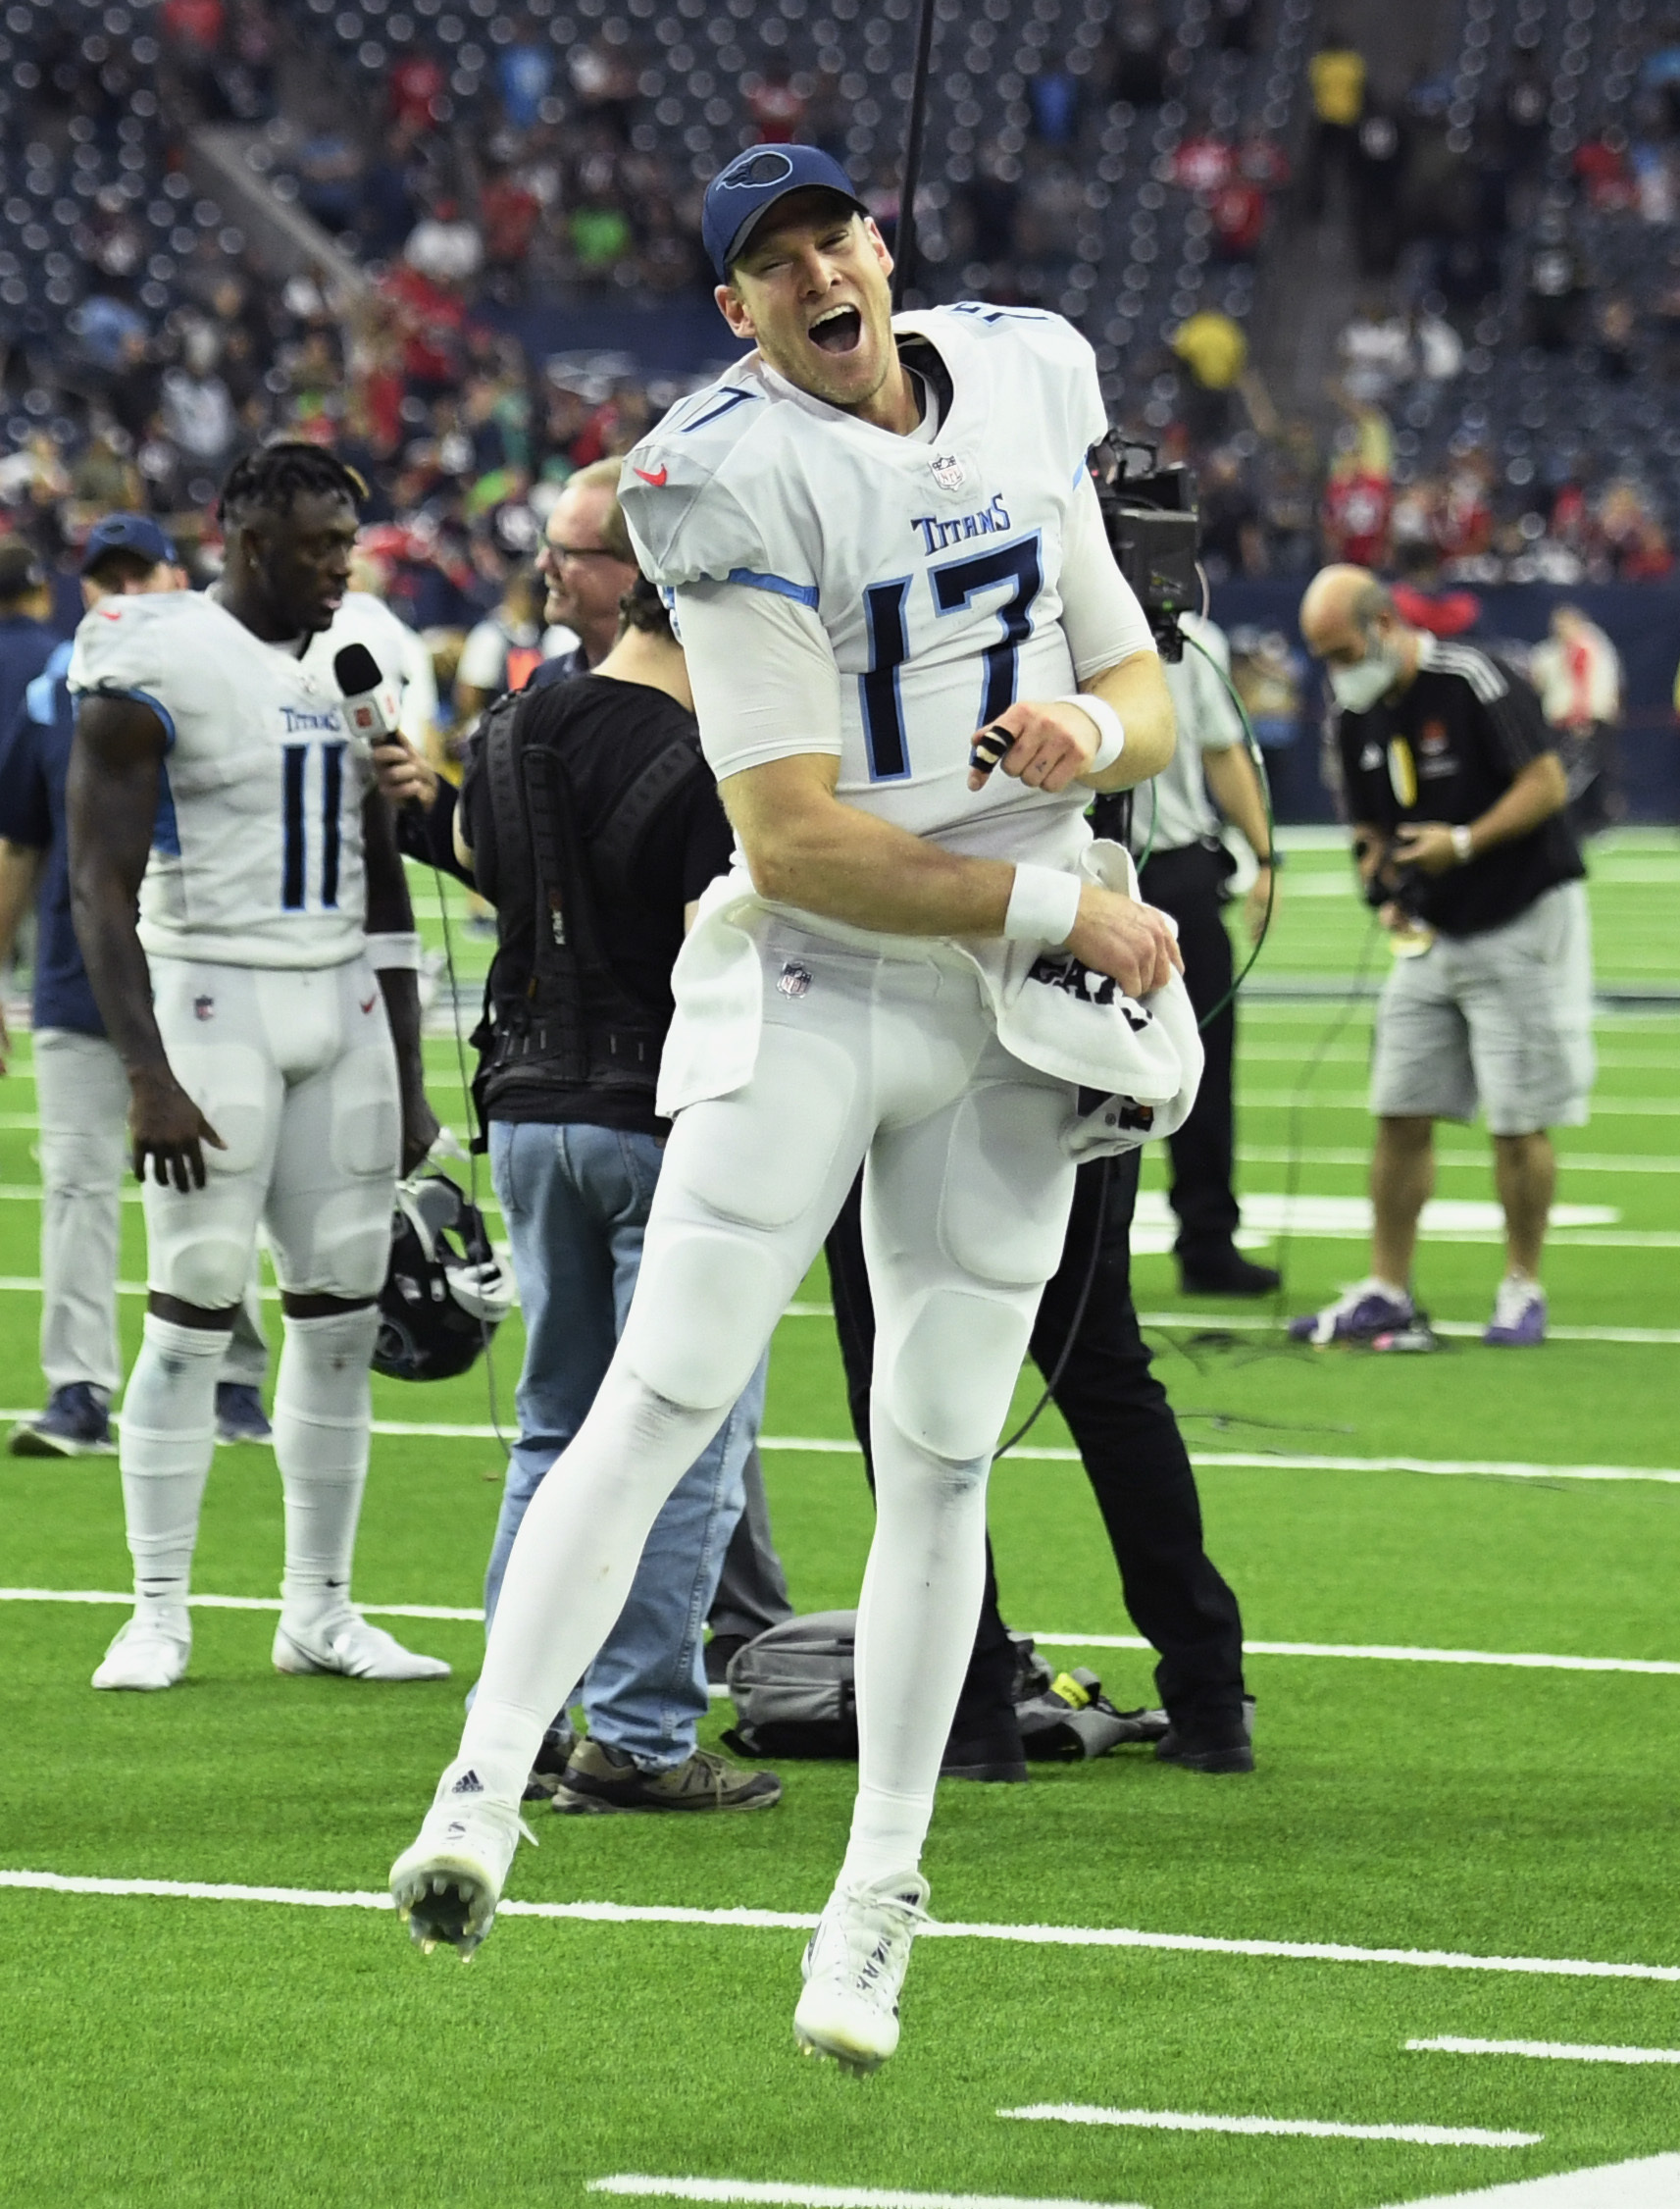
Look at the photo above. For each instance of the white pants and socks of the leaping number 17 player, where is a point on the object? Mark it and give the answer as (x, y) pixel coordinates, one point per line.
(966, 1203)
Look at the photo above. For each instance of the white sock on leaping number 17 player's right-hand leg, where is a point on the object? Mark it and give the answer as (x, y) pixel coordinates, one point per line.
(915, 1636)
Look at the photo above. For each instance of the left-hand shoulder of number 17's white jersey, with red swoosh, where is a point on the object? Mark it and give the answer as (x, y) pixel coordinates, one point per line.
(716, 492)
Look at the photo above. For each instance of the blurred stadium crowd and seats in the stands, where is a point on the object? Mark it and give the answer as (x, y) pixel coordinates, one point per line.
(1500, 403)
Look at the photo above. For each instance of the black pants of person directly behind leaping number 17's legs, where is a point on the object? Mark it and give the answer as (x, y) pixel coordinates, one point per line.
(1134, 1457)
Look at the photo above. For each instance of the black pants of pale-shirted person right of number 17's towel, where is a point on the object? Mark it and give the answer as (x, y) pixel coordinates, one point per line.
(1189, 885)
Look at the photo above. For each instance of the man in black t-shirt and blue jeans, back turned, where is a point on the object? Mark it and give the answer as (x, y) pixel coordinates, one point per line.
(593, 825)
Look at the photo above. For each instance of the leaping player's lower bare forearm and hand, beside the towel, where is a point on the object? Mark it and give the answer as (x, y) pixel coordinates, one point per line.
(809, 849)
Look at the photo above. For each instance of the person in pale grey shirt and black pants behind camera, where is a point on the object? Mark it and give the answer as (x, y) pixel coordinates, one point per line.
(1187, 874)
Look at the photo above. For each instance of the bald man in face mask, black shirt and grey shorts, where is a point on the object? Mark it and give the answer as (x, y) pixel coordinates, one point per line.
(1456, 801)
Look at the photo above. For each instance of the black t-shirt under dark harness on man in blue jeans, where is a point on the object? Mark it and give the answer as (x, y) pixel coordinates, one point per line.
(602, 730)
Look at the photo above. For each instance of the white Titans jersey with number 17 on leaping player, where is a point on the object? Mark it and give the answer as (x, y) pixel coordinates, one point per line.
(935, 567)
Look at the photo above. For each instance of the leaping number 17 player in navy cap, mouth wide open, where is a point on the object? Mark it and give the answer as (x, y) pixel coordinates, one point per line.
(875, 549)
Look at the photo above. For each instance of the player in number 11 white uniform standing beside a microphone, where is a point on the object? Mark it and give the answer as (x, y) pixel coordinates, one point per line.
(266, 1011)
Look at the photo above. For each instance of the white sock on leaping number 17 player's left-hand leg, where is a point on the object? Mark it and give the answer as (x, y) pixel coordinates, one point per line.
(573, 1565)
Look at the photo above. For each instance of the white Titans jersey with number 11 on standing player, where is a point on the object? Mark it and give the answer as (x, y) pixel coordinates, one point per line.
(257, 849)
